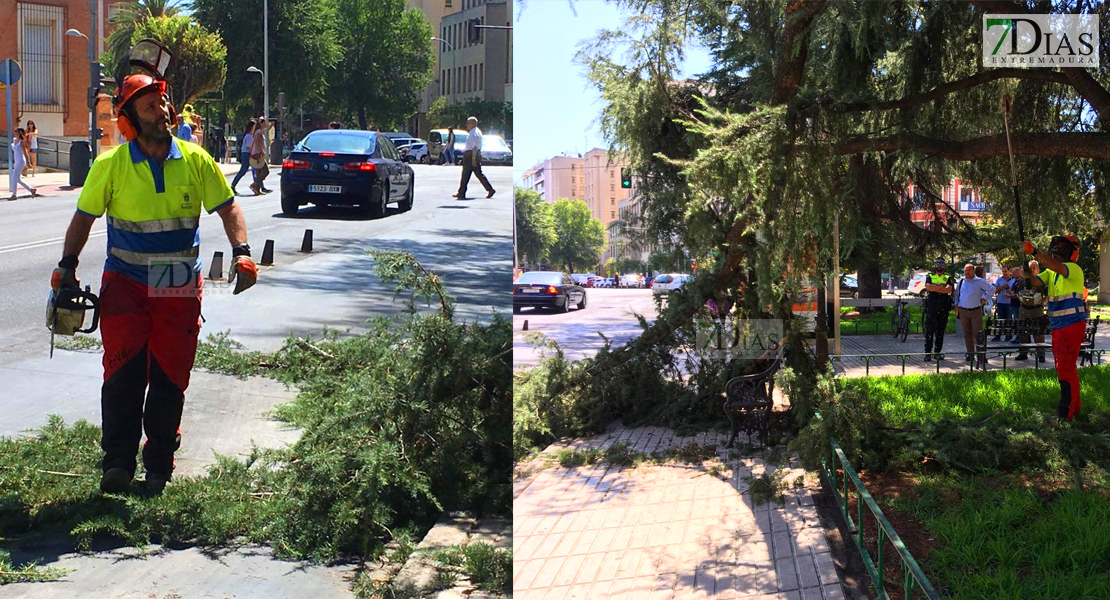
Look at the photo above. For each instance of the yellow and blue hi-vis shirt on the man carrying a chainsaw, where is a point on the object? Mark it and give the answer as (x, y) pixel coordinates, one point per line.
(154, 210)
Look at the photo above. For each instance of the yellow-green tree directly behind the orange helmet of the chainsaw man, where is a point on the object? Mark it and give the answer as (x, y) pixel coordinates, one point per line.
(199, 56)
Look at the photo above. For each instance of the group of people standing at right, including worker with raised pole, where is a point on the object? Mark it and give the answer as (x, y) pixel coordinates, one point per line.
(1056, 291)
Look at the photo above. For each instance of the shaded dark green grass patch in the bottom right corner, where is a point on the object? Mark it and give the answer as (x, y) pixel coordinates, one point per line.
(1004, 538)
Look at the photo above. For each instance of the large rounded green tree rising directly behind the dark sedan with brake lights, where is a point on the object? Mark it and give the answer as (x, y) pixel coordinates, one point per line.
(388, 62)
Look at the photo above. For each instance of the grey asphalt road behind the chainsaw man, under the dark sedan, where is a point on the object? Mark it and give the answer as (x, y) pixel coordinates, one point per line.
(468, 242)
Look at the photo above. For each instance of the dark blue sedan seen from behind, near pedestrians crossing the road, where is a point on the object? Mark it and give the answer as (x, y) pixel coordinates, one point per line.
(346, 167)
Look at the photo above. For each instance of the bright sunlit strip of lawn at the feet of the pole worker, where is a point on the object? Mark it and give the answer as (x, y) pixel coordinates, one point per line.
(914, 399)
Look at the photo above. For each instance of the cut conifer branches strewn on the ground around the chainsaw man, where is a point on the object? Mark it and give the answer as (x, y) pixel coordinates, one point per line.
(399, 425)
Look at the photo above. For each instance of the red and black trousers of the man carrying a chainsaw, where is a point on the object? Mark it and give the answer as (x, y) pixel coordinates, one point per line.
(150, 343)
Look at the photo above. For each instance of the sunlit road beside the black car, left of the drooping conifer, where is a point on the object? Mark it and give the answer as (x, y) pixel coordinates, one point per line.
(609, 312)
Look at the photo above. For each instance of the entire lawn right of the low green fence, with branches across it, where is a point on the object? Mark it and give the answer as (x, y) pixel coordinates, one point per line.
(1014, 505)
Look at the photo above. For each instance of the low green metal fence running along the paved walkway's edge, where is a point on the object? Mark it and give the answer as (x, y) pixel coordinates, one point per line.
(915, 578)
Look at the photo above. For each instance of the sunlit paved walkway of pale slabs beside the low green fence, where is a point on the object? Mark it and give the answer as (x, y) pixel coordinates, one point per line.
(671, 532)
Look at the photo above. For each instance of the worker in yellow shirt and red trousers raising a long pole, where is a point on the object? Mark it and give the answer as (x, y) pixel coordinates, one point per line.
(1067, 314)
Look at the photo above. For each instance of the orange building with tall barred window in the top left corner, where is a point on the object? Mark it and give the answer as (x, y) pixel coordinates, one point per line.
(54, 89)
